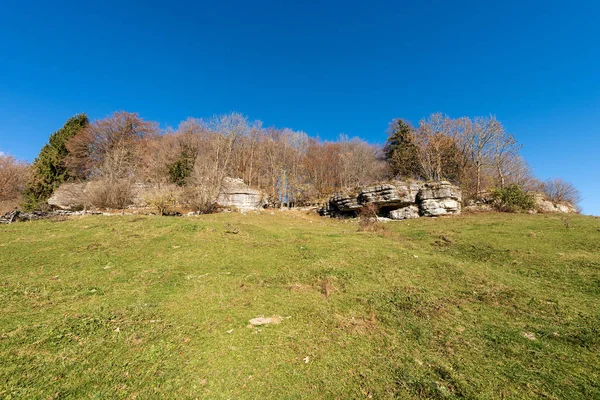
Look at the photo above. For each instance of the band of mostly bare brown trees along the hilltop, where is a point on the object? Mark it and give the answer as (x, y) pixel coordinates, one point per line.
(192, 160)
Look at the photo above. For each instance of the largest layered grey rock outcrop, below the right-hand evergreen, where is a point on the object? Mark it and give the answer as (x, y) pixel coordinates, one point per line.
(399, 200)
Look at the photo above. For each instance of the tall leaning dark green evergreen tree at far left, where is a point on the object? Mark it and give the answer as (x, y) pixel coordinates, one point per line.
(48, 169)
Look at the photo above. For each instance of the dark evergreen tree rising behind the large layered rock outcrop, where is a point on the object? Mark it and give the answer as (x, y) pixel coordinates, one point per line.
(401, 151)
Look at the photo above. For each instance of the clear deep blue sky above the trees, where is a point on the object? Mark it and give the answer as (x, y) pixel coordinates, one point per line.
(324, 67)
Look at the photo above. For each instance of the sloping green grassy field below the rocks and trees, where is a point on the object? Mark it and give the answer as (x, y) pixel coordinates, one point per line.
(476, 306)
